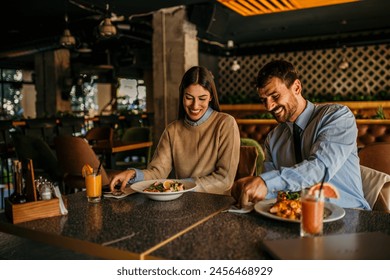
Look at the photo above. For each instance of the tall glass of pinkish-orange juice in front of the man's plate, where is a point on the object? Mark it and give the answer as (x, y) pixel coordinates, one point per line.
(312, 216)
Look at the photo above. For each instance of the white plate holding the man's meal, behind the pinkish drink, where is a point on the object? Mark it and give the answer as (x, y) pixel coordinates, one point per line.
(332, 211)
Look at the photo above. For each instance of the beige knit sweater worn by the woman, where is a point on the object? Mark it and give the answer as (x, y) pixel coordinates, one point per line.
(208, 153)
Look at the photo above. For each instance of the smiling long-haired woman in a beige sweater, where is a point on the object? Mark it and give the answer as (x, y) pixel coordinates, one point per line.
(202, 145)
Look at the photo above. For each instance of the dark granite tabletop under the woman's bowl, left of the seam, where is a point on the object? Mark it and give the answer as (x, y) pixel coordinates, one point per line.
(125, 228)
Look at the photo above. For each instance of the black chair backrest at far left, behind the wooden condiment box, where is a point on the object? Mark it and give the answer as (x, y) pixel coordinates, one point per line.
(43, 157)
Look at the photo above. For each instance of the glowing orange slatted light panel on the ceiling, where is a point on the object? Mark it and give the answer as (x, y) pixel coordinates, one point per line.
(257, 7)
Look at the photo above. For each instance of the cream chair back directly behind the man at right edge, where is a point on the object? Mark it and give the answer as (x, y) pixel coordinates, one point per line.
(376, 188)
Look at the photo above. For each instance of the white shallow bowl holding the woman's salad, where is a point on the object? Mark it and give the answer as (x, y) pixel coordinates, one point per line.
(162, 196)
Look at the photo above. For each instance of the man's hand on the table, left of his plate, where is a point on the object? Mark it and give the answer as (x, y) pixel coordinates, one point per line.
(249, 189)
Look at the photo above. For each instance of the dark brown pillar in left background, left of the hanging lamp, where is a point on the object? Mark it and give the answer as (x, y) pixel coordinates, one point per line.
(52, 82)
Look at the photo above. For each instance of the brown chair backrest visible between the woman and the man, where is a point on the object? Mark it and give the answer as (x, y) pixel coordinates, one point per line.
(247, 162)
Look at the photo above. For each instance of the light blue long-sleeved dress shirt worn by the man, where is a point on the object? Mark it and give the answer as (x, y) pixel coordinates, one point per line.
(329, 134)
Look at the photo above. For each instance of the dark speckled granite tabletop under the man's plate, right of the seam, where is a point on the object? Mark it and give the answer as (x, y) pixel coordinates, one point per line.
(239, 236)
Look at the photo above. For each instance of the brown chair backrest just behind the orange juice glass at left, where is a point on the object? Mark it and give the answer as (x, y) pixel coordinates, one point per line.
(73, 153)
